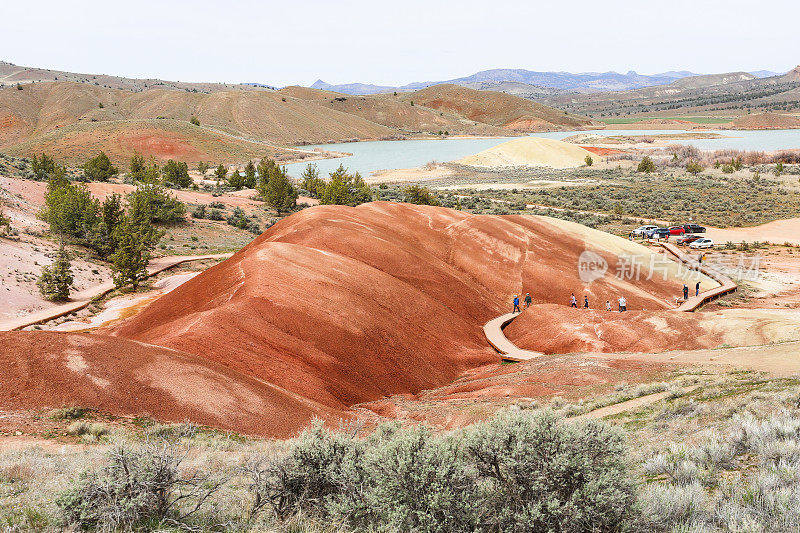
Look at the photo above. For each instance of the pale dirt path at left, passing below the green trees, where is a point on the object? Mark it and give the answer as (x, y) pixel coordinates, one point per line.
(84, 298)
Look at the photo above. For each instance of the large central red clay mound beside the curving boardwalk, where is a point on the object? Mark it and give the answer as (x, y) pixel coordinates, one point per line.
(348, 305)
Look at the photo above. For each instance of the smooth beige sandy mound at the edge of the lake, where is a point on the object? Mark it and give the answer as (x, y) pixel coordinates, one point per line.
(529, 151)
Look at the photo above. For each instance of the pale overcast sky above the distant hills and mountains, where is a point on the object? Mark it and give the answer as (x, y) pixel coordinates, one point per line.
(392, 43)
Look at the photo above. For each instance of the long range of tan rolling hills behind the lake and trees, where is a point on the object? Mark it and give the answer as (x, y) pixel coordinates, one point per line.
(74, 120)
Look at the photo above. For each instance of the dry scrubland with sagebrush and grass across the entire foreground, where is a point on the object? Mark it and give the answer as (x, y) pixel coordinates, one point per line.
(718, 453)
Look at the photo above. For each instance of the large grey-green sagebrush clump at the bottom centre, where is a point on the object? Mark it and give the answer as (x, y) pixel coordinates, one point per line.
(518, 472)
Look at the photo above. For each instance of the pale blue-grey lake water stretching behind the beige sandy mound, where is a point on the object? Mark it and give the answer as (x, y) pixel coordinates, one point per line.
(370, 156)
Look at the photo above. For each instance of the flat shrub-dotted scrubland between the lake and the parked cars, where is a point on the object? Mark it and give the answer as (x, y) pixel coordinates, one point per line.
(674, 187)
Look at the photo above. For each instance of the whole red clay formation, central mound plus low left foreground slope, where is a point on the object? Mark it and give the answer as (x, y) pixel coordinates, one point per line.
(331, 307)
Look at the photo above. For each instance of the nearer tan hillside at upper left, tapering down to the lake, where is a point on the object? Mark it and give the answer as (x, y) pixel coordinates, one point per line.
(31, 120)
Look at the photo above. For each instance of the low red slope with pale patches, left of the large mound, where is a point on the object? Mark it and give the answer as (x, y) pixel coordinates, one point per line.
(128, 378)
